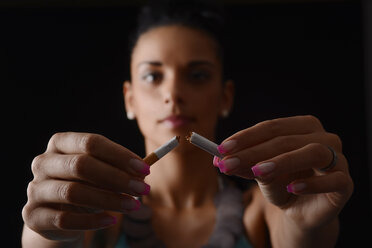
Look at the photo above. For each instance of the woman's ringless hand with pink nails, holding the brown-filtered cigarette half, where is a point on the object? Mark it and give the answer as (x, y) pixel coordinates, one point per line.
(77, 180)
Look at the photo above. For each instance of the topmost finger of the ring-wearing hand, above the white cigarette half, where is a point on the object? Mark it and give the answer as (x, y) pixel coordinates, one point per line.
(270, 129)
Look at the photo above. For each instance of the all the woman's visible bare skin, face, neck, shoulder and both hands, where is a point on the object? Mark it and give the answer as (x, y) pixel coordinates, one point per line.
(176, 72)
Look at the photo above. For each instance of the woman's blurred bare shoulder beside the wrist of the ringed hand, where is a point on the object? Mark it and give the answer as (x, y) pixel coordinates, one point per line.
(254, 217)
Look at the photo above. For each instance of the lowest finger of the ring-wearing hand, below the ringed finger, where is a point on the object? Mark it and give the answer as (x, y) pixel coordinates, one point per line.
(337, 181)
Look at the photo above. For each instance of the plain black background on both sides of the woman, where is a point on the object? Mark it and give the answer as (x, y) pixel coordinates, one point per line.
(62, 69)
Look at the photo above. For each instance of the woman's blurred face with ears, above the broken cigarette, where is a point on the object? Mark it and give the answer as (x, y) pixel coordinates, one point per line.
(176, 84)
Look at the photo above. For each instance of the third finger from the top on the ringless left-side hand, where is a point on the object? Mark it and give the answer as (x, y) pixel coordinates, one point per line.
(78, 194)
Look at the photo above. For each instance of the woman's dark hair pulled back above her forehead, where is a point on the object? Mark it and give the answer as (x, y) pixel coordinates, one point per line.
(207, 16)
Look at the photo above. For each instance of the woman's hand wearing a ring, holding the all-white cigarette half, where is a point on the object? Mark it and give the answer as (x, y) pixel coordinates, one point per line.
(288, 157)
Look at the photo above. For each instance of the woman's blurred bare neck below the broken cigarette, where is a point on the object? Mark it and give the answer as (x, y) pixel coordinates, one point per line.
(184, 178)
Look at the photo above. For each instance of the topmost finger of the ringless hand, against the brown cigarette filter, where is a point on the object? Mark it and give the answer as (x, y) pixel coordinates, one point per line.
(95, 145)
